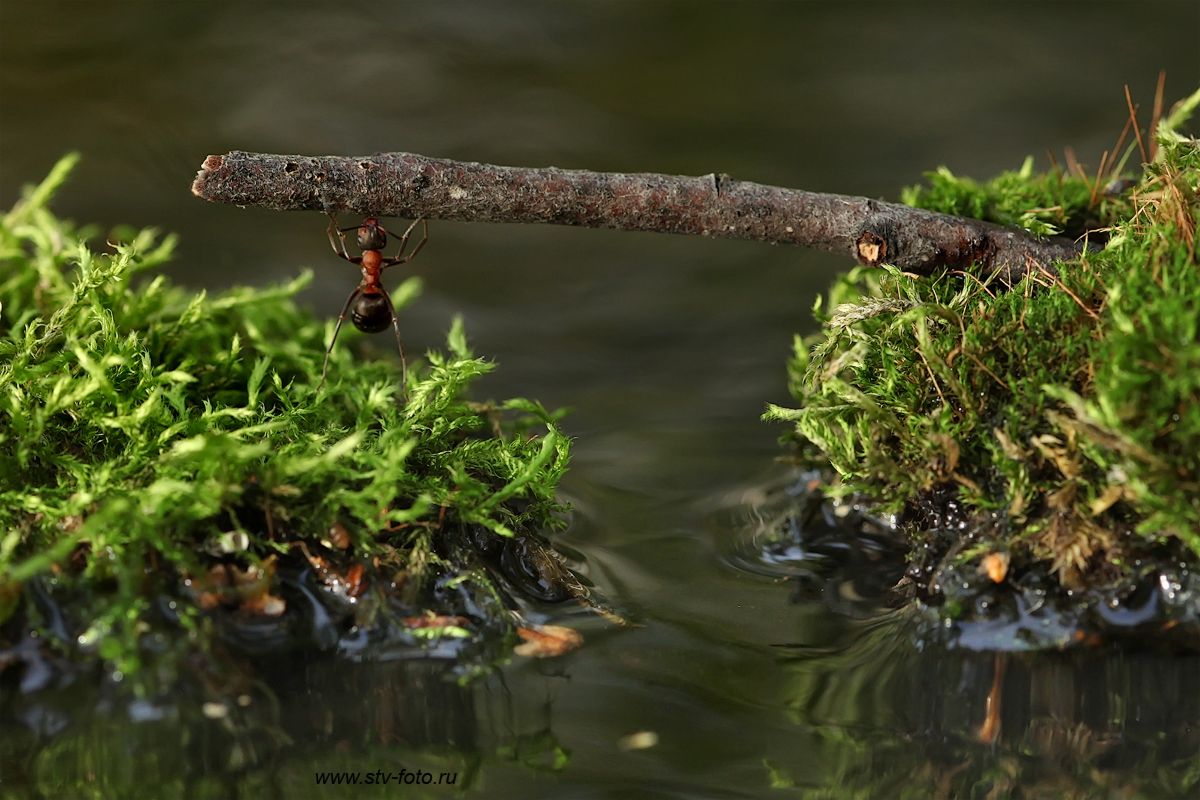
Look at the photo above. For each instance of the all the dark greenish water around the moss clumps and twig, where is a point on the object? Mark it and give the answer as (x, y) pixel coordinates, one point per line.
(667, 350)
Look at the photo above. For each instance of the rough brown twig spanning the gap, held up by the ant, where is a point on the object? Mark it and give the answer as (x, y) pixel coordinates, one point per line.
(409, 185)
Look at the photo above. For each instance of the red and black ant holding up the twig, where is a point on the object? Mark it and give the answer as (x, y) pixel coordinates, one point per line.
(373, 310)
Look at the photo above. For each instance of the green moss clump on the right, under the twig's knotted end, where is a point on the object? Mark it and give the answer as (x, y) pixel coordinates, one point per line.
(1061, 413)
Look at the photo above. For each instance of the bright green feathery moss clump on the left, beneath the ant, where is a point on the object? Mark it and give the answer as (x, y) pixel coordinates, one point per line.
(157, 443)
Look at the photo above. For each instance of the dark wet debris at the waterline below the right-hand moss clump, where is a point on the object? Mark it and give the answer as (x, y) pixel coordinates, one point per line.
(953, 588)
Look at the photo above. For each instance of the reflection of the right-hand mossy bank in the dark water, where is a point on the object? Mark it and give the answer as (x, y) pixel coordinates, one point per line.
(884, 721)
